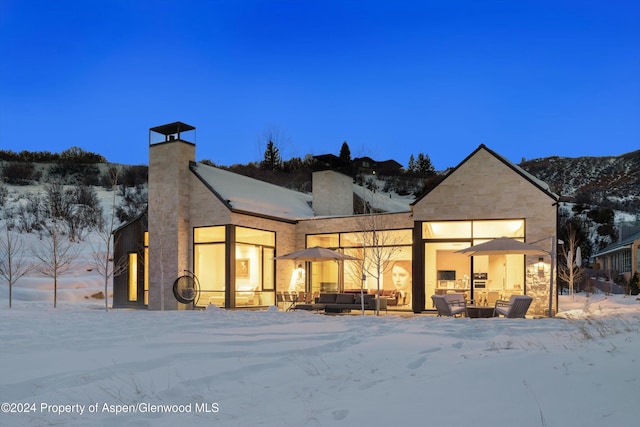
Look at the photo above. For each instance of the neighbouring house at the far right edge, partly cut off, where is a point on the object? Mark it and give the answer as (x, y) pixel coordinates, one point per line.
(622, 257)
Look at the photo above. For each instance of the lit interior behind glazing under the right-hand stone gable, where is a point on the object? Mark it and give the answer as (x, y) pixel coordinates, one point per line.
(482, 278)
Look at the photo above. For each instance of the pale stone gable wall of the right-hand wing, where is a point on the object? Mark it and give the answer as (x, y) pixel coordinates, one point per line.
(486, 187)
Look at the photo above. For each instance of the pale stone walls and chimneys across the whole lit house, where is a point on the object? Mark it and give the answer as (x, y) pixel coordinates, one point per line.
(483, 187)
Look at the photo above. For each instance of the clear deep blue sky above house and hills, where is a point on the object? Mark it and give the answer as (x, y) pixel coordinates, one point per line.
(527, 78)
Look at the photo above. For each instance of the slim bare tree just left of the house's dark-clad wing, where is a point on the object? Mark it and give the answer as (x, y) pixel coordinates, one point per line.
(102, 251)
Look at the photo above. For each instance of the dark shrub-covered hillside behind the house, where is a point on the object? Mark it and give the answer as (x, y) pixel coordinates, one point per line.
(589, 187)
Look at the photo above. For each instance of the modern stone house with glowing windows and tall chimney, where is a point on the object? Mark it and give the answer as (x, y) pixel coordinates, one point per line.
(228, 229)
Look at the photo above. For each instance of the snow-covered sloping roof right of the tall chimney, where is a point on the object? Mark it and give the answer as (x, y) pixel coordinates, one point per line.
(252, 195)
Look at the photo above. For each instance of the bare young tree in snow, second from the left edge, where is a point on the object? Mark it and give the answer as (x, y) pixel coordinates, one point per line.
(56, 253)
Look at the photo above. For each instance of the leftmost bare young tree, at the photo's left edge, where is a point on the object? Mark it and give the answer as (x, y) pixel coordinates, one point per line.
(13, 262)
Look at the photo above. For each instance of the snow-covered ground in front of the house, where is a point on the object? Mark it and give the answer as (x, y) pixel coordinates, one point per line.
(79, 365)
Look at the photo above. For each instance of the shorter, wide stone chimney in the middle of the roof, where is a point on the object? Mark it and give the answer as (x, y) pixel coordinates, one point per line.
(332, 193)
